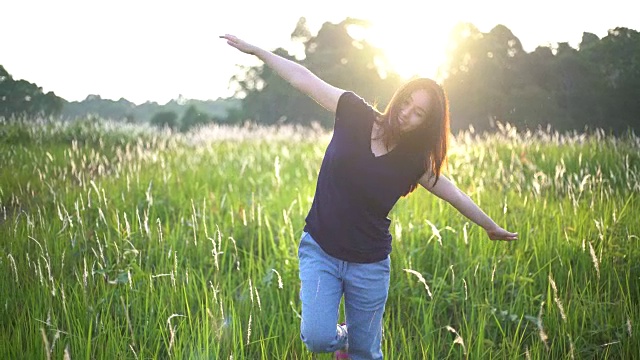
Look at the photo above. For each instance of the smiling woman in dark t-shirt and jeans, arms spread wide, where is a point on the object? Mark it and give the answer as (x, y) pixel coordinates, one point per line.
(372, 160)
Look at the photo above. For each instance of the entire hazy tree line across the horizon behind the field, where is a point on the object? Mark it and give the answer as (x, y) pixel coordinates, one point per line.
(488, 75)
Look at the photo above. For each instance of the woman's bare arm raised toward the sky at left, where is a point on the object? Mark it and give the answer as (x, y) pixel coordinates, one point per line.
(295, 74)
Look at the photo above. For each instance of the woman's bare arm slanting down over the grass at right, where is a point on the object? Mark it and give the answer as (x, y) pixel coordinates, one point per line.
(447, 191)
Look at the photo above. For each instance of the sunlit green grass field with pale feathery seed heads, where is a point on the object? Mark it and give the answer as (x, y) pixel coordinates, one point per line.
(123, 242)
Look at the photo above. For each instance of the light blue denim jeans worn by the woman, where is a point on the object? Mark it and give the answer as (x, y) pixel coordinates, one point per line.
(323, 281)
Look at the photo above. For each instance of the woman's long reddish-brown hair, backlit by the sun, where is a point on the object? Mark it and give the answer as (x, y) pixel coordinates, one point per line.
(430, 139)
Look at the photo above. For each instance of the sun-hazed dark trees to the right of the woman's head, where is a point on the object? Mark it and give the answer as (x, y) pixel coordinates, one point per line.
(491, 78)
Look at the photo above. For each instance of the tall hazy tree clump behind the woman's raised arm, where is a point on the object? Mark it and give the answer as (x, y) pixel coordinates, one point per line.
(336, 57)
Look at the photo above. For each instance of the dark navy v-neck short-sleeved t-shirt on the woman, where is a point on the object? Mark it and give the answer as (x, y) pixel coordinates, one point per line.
(356, 190)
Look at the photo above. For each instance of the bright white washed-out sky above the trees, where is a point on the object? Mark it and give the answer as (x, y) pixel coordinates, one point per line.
(161, 50)
